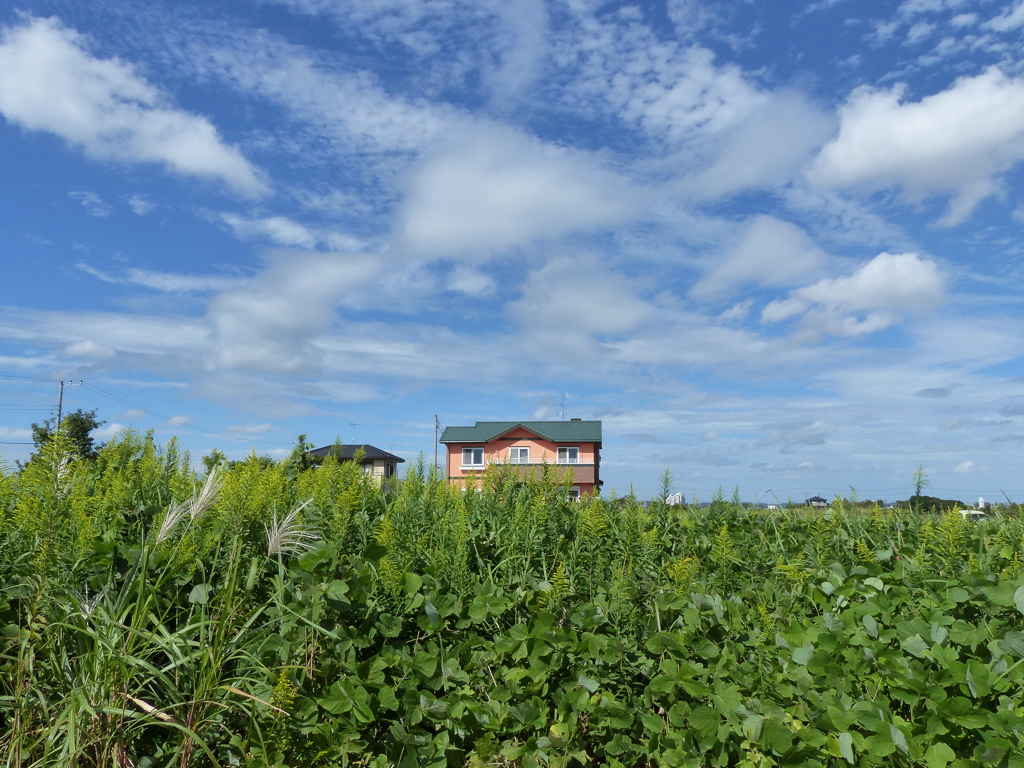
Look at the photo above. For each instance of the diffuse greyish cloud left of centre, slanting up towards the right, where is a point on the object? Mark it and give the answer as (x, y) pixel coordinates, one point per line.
(270, 323)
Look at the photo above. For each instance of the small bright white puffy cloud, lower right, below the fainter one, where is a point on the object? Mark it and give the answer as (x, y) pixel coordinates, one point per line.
(873, 298)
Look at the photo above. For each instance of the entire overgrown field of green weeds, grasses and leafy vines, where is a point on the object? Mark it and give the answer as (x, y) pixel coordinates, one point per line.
(282, 615)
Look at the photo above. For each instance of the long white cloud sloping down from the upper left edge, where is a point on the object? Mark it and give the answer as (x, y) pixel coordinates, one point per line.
(49, 82)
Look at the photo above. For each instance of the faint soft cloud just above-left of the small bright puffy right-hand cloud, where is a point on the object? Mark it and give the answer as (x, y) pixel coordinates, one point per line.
(771, 252)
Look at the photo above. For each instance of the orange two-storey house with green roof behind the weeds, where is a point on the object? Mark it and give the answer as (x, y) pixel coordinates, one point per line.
(575, 446)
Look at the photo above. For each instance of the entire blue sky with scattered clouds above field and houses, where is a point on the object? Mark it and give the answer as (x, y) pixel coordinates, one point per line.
(770, 245)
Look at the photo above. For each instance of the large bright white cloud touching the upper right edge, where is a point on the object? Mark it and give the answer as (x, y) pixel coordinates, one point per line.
(956, 143)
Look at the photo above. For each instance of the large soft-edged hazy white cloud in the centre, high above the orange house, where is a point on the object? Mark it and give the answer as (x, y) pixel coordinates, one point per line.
(497, 190)
